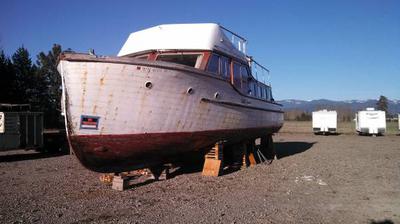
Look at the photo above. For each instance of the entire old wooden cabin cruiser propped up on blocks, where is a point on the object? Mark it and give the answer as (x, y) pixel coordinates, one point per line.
(172, 89)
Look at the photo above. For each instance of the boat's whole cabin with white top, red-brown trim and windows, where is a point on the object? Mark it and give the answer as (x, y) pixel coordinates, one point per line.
(207, 47)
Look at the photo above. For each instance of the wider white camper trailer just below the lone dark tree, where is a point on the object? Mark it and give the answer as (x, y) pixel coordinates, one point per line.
(371, 121)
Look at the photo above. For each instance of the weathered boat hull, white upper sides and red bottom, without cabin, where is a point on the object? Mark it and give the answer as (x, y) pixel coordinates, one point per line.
(117, 121)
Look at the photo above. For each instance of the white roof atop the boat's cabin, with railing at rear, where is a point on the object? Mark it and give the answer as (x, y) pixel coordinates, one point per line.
(200, 36)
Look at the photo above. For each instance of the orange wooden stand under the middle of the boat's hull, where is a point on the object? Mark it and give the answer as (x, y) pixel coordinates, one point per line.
(214, 161)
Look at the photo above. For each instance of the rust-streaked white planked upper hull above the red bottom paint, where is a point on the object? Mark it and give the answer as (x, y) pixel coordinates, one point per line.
(117, 94)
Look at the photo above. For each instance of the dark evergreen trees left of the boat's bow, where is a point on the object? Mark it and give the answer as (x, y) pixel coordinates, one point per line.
(23, 81)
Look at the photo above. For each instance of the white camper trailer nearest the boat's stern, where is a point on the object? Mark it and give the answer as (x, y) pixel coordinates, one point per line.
(324, 121)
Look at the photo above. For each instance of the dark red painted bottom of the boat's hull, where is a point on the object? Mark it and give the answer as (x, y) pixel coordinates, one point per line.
(117, 153)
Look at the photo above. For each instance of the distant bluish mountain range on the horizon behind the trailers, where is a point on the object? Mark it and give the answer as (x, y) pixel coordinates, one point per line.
(354, 105)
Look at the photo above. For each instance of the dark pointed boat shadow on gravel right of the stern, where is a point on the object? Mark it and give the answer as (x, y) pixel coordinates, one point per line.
(285, 149)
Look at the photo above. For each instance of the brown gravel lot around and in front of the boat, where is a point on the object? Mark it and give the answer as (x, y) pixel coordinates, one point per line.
(316, 179)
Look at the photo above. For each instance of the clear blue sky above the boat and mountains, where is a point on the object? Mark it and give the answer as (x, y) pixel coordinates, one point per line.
(337, 50)
